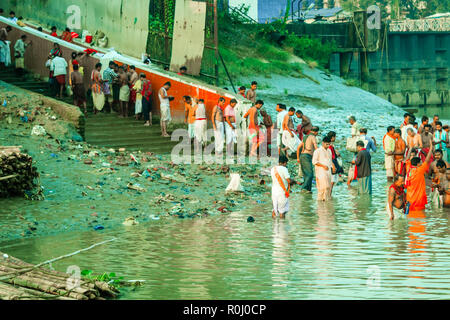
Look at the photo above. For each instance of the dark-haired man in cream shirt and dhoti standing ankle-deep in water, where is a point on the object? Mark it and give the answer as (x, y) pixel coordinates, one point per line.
(324, 167)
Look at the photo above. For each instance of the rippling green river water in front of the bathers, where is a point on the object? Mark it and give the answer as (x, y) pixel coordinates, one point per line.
(321, 251)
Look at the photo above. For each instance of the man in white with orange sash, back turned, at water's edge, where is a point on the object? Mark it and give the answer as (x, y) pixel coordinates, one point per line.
(280, 188)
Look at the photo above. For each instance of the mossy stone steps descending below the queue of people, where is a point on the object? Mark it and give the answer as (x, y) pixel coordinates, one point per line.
(103, 129)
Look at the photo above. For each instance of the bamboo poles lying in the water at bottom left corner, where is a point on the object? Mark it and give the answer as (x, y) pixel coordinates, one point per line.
(23, 281)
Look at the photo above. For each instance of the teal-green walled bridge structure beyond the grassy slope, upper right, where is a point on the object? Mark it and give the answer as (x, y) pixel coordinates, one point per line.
(405, 62)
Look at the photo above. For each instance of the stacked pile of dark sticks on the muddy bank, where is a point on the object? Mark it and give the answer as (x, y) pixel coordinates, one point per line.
(17, 173)
